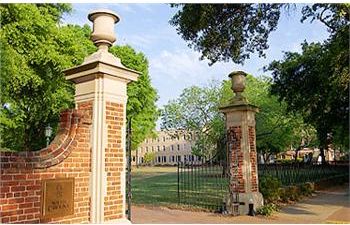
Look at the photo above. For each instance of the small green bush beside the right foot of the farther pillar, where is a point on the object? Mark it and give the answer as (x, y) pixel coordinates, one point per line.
(270, 188)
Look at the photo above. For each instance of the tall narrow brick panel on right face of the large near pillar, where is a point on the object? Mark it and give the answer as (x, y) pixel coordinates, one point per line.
(114, 161)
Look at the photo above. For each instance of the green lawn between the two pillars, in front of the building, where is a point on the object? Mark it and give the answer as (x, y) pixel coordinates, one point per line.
(158, 186)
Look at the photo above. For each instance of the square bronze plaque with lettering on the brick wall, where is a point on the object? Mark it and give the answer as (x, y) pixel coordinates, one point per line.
(57, 197)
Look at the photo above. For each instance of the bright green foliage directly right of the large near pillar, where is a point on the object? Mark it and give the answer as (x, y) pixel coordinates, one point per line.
(141, 107)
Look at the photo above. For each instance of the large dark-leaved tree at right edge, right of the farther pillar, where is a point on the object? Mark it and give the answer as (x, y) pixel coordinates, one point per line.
(315, 82)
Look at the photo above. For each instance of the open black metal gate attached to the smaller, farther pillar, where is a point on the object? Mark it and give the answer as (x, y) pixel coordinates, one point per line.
(209, 184)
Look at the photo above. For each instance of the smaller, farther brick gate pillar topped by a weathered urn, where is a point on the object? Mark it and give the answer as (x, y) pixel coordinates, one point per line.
(240, 125)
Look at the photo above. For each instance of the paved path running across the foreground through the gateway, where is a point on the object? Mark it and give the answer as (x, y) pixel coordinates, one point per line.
(327, 206)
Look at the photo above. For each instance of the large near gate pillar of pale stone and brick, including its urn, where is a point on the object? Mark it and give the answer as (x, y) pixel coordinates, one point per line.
(101, 81)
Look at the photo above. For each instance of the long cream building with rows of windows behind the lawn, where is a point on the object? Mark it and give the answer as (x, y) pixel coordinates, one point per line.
(168, 149)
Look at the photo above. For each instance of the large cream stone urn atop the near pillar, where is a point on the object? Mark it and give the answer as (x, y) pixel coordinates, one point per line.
(103, 27)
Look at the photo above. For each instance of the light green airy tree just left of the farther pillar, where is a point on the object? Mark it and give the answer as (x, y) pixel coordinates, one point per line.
(196, 111)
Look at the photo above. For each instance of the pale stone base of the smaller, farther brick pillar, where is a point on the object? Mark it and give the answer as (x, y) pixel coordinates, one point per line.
(245, 199)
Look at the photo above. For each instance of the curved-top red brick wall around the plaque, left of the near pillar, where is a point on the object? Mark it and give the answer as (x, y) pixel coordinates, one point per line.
(67, 156)
